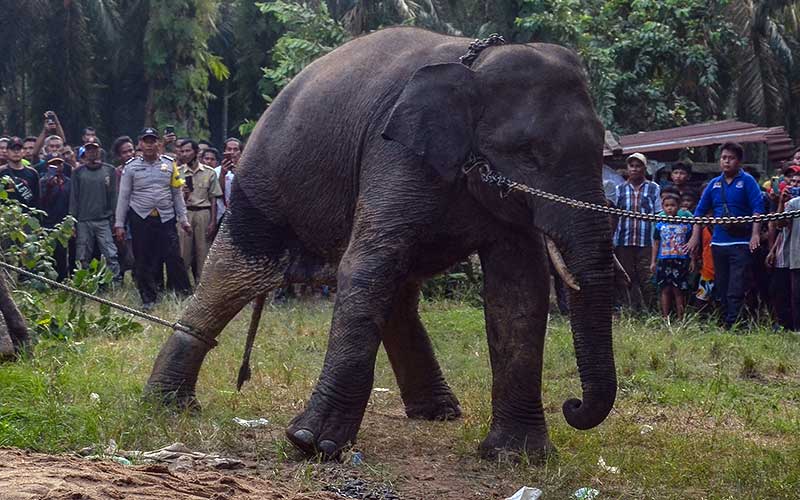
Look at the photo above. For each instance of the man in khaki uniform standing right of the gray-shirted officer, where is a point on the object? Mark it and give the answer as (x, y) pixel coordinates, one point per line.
(200, 190)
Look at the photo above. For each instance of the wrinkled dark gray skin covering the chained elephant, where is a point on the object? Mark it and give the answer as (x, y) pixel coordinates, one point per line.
(358, 162)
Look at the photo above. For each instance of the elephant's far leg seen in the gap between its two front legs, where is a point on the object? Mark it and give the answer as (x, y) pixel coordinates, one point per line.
(425, 393)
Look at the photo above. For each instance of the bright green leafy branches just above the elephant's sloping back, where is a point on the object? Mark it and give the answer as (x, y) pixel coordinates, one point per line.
(310, 34)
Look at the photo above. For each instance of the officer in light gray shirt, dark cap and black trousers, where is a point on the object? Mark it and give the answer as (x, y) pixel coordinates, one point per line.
(151, 199)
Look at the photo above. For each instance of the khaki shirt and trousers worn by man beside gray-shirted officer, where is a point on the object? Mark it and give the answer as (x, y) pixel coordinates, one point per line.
(204, 193)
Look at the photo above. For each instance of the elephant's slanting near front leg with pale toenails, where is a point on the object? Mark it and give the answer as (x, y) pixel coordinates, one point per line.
(368, 279)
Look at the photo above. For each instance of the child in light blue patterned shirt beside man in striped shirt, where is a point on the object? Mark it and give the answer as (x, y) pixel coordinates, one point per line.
(670, 261)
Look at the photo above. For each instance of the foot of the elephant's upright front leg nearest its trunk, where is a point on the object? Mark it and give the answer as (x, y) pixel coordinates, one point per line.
(507, 446)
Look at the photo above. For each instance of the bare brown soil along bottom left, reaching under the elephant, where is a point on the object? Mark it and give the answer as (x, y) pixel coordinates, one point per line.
(397, 465)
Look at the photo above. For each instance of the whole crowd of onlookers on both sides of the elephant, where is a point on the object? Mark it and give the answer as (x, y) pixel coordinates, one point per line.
(153, 206)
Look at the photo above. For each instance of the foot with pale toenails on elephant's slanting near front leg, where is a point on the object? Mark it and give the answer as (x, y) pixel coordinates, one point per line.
(324, 428)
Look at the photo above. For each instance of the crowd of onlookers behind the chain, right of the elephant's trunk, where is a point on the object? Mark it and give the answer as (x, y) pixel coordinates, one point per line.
(725, 267)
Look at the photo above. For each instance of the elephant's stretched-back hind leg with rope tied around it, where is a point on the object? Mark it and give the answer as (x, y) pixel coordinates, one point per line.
(230, 280)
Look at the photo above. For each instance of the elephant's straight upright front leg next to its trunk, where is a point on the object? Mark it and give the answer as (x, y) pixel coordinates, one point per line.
(516, 285)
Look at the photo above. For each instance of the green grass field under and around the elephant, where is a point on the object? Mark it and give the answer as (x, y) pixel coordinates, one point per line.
(700, 413)
